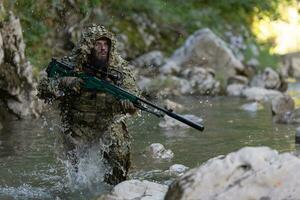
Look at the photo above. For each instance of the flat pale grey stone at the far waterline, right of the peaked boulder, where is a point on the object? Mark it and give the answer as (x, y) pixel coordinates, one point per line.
(260, 94)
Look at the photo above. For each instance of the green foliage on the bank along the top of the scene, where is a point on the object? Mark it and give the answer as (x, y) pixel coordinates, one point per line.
(175, 20)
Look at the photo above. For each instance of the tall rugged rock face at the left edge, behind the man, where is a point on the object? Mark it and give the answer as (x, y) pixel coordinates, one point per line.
(17, 88)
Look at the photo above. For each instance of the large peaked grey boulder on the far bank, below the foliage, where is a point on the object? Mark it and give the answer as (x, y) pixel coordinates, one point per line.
(205, 49)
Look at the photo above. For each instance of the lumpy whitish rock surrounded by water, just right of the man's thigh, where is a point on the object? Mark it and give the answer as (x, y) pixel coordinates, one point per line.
(158, 151)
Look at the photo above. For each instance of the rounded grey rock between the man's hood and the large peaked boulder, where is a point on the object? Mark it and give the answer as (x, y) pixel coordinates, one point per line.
(151, 59)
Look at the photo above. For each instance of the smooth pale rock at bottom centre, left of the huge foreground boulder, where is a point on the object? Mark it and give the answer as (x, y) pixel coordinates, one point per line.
(135, 189)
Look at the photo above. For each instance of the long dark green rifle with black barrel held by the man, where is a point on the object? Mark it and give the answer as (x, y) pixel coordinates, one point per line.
(60, 69)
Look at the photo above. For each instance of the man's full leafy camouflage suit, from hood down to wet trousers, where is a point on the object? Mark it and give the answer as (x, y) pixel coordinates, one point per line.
(93, 116)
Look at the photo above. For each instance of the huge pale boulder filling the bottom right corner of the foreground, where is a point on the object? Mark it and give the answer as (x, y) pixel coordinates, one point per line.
(250, 173)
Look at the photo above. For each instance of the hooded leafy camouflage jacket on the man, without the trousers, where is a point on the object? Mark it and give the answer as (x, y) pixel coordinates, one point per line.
(90, 108)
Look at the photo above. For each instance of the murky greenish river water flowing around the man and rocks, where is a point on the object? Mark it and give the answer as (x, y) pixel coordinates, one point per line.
(31, 166)
